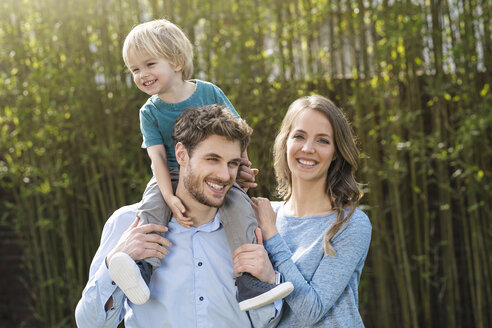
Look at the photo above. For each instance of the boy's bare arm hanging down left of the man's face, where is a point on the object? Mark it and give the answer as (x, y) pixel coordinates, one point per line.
(157, 154)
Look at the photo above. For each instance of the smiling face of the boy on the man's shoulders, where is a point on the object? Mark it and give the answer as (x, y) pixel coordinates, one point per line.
(154, 75)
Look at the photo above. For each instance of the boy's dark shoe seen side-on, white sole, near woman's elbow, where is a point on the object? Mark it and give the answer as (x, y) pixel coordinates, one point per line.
(253, 293)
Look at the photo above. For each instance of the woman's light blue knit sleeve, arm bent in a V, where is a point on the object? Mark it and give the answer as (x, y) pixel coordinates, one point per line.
(311, 300)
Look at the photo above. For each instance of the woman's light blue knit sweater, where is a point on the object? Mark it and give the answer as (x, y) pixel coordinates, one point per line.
(326, 287)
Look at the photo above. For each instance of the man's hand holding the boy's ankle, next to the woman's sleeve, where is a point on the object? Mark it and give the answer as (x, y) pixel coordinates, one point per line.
(253, 258)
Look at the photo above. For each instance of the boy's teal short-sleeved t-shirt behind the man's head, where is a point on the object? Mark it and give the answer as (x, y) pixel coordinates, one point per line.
(157, 118)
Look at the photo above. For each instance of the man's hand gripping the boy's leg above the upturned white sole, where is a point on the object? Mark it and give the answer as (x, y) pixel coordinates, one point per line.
(140, 243)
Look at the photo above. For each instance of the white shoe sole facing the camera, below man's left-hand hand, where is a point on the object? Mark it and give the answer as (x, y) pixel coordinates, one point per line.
(126, 274)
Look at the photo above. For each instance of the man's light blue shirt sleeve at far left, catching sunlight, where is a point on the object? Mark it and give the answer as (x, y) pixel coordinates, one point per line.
(90, 310)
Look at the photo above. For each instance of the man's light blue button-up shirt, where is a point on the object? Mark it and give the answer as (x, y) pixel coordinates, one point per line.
(192, 288)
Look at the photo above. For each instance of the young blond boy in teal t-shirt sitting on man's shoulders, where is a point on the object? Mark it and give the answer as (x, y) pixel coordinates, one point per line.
(160, 57)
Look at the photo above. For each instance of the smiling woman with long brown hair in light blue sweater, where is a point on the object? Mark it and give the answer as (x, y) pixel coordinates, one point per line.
(317, 238)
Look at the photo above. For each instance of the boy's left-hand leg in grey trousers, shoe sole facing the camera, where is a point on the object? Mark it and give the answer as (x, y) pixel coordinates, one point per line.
(133, 277)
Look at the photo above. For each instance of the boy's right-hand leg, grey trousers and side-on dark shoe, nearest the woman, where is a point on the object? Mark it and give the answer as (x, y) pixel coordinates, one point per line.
(240, 223)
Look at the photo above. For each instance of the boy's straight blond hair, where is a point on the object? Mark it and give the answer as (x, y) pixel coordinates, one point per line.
(161, 38)
